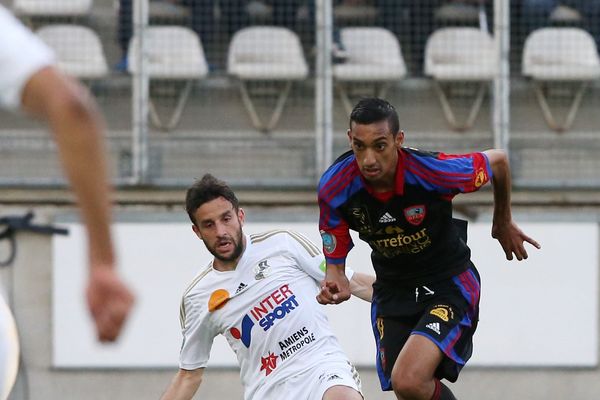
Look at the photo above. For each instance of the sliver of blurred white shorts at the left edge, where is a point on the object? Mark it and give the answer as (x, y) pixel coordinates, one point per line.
(9, 350)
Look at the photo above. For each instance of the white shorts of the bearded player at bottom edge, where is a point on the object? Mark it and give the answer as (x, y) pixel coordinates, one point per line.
(312, 384)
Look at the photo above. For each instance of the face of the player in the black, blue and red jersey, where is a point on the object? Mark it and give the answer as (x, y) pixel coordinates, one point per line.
(376, 151)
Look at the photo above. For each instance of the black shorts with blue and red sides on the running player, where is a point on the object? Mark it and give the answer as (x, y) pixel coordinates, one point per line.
(445, 312)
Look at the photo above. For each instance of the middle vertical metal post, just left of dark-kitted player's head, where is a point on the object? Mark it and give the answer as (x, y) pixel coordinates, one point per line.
(324, 86)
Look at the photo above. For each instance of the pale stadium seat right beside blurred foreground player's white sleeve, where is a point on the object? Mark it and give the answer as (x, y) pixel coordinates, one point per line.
(78, 50)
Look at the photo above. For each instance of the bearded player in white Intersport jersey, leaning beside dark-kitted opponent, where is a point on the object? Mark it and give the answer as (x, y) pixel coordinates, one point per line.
(259, 292)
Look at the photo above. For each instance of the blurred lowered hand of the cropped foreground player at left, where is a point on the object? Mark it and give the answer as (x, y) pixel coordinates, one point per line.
(109, 301)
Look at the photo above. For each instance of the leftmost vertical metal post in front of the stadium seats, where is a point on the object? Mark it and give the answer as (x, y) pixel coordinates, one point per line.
(140, 93)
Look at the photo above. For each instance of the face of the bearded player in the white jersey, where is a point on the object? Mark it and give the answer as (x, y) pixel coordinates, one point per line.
(219, 226)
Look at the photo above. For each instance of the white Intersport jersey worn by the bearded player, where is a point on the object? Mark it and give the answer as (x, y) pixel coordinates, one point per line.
(267, 311)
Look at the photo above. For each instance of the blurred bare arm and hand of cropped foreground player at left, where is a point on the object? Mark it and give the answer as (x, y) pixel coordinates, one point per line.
(77, 128)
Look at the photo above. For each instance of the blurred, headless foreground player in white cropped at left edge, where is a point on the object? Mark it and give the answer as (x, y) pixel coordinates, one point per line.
(30, 82)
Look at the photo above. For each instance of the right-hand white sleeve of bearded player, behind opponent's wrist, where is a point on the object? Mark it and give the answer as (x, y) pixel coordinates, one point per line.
(309, 257)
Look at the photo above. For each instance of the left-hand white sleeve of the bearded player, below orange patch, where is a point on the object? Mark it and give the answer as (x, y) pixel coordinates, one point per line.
(198, 335)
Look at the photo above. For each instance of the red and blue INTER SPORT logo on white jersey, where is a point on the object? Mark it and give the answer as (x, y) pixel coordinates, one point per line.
(277, 305)
